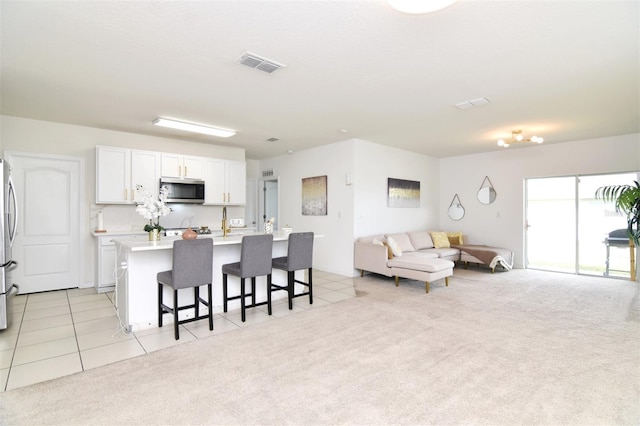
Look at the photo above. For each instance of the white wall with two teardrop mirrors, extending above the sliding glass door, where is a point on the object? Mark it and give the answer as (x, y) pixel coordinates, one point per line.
(502, 223)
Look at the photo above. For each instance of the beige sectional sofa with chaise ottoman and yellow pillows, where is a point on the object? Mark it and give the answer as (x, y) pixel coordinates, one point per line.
(410, 255)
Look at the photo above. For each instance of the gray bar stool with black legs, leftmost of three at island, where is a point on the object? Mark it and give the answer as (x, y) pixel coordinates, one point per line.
(192, 267)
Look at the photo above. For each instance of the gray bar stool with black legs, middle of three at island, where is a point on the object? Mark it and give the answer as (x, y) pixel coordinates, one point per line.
(255, 261)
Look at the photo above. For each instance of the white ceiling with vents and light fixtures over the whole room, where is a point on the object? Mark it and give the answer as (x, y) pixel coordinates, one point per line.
(564, 70)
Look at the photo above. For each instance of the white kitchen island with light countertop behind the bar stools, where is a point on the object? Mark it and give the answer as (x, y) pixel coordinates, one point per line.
(138, 261)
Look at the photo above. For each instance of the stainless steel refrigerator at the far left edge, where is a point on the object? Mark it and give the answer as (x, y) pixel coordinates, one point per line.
(8, 227)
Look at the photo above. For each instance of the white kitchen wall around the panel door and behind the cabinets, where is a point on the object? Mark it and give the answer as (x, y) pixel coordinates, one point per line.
(25, 135)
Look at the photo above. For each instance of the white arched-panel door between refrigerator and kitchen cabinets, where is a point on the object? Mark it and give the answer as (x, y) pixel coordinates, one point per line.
(47, 245)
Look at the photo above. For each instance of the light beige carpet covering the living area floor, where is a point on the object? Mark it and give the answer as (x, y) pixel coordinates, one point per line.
(517, 347)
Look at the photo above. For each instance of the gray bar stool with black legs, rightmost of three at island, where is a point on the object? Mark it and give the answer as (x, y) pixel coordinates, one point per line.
(299, 257)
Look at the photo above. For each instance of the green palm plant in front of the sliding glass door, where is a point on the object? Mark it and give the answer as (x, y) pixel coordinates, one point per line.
(627, 202)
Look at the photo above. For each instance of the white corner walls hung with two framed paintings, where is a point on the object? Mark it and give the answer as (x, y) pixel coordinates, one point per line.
(359, 208)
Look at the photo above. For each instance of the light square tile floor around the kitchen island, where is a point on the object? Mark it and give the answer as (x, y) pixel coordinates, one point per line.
(62, 332)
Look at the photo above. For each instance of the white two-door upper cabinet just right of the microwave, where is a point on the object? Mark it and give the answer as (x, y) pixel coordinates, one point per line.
(225, 182)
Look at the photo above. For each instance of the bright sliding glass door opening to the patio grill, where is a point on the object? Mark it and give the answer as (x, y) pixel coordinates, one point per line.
(568, 230)
